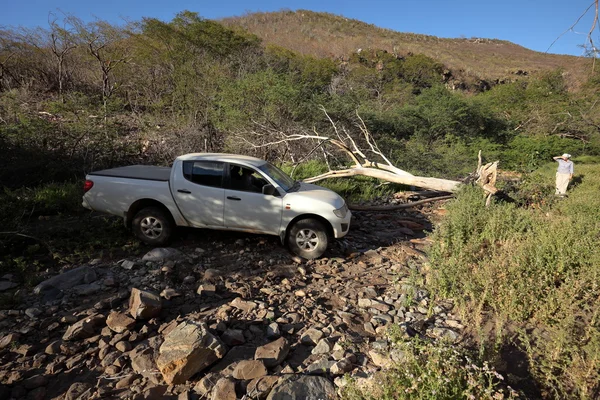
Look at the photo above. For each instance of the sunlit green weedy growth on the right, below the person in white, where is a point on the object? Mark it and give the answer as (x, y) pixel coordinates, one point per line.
(531, 268)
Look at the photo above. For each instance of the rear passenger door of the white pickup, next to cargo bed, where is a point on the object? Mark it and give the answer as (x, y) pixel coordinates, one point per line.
(199, 192)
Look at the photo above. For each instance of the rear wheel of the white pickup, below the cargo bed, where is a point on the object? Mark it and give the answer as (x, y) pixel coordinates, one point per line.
(153, 226)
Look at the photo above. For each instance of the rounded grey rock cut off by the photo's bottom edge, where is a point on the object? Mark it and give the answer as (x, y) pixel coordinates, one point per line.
(300, 387)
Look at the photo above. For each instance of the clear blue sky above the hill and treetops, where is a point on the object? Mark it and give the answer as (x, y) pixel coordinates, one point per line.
(534, 24)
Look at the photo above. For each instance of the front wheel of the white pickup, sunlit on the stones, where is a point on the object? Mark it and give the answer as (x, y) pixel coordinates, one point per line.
(308, 238)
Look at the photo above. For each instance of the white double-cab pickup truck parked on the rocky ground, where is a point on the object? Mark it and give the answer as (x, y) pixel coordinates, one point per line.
(219, 191)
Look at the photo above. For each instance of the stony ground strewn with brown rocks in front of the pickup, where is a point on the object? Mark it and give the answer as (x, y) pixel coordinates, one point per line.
(223, 316)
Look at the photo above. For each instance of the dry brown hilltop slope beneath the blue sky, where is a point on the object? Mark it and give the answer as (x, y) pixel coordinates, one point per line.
(328, 35)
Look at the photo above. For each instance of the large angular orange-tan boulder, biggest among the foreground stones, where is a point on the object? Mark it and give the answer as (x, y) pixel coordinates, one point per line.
(188, 349)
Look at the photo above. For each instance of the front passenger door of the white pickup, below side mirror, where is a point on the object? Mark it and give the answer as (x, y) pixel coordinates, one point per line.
(246, 207)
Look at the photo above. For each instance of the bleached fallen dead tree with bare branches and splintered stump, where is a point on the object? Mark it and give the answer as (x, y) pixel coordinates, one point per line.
(362, 163)
